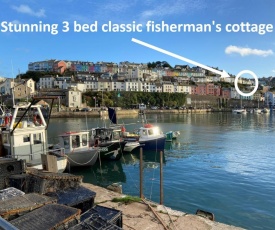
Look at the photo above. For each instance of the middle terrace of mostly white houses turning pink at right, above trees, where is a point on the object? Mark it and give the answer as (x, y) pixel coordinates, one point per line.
(147, 84)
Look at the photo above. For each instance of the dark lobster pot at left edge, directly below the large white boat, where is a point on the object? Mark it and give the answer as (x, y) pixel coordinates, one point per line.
(8, 167)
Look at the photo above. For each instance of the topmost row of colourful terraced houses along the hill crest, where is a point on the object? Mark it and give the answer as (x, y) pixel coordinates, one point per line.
(126, 69)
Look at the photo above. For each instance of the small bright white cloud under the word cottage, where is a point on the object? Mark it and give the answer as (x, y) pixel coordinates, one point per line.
(243, 51)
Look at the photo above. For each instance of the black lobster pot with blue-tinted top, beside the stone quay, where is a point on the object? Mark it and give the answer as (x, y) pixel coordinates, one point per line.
(81, 198)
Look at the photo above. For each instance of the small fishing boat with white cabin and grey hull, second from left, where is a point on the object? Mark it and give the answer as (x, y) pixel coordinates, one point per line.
(77, 148)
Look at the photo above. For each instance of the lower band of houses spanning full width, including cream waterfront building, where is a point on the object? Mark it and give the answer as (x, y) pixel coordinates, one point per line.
(73, 88)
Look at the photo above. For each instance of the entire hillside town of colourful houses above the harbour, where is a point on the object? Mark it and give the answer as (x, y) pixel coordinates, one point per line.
(70, 79)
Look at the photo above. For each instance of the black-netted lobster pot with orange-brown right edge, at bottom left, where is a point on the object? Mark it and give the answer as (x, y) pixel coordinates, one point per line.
(48, 217)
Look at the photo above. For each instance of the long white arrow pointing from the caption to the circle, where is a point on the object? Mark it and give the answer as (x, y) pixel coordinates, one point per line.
(223, 73)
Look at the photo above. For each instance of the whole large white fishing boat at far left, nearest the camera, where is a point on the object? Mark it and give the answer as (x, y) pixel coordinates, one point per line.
(24, 137)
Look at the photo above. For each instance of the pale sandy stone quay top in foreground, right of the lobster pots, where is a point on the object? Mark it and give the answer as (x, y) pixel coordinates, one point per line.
(149, 215)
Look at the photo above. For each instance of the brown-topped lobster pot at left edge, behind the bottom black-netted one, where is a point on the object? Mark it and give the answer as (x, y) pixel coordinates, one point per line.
(19, 205)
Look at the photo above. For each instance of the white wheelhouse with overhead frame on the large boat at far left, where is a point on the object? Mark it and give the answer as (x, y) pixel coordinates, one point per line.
(22, 137)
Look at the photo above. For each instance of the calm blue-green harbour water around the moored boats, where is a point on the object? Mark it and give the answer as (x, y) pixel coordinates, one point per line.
(222, 163)
